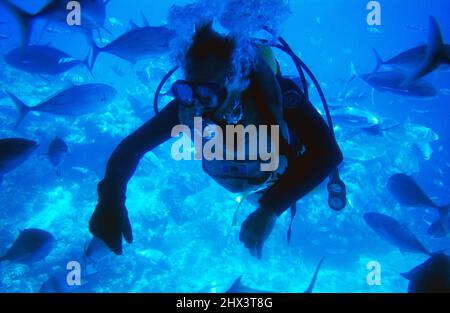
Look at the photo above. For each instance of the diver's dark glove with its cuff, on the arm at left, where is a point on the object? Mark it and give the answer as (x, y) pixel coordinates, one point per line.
(109, 221)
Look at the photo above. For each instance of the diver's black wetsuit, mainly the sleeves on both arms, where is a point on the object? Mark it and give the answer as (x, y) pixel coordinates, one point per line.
(304, 172)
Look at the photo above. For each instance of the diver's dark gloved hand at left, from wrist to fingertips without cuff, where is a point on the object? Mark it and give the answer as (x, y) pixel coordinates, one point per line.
(110, 222)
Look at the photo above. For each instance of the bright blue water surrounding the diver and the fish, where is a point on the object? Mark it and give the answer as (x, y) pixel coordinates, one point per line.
(182, 220)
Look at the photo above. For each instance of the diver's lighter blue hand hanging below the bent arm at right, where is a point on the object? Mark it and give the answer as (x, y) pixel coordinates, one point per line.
(256, 229)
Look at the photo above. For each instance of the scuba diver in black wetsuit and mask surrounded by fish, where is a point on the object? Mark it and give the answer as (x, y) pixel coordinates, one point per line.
(217, 89)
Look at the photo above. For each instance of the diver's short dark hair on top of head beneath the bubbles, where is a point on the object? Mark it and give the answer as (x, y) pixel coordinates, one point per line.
(208, 43)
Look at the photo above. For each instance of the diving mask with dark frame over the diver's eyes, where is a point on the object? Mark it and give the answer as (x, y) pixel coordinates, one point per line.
(210, 96)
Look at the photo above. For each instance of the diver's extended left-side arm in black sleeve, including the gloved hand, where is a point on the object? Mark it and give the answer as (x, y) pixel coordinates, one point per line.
(109, 221)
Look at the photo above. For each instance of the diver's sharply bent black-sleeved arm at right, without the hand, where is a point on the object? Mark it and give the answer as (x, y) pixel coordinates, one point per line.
(322, 155)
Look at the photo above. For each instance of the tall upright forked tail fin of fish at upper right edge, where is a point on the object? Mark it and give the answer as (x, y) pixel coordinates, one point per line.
(435, 52)
